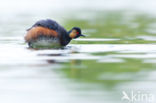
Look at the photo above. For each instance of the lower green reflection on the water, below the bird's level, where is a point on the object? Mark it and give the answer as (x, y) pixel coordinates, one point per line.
(93, 71)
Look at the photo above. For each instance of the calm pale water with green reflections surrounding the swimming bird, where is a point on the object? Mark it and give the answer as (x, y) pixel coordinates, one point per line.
(118, 54)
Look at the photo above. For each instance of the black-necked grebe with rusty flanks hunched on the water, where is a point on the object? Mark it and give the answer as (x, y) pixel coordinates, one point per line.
(49, 34)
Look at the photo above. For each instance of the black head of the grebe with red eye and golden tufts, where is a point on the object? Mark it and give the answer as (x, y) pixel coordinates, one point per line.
(75, 32)
